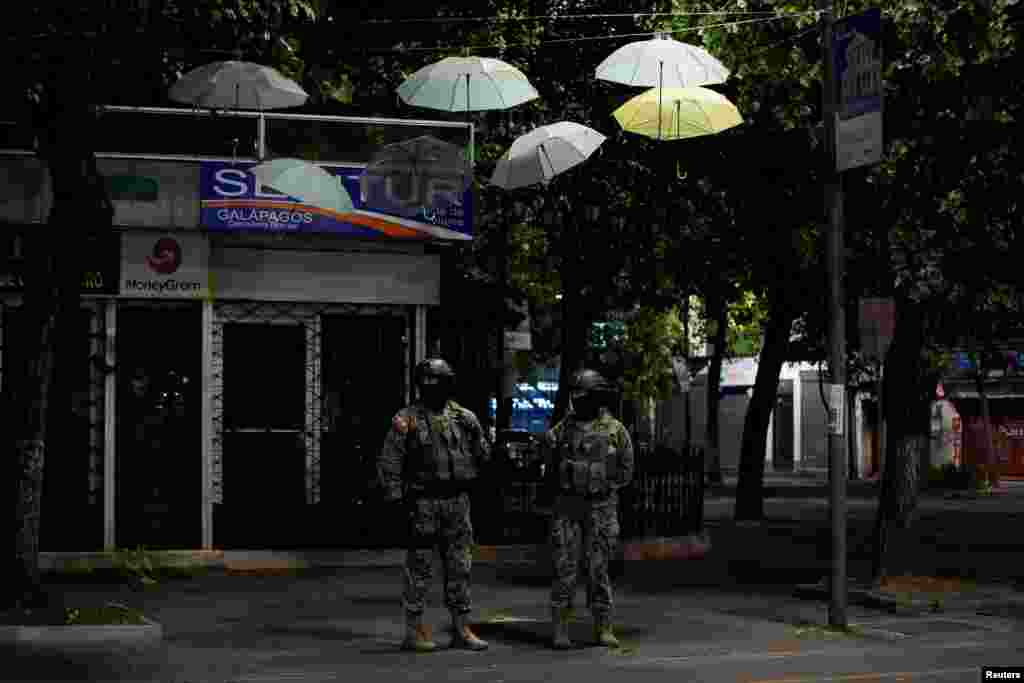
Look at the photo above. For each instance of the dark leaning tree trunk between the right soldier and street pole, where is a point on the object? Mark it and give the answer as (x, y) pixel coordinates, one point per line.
(750, 489)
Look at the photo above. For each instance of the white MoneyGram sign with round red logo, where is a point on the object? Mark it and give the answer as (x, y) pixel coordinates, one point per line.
(165, 267)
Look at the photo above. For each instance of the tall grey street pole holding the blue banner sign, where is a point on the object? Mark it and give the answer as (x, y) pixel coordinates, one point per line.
(837, 332)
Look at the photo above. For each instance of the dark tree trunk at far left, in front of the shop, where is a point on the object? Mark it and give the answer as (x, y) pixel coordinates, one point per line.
(53, 282)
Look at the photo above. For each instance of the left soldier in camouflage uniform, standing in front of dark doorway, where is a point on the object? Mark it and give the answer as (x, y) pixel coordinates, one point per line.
(432, 456)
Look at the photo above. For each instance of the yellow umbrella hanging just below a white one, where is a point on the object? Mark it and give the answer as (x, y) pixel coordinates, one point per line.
(674, 114)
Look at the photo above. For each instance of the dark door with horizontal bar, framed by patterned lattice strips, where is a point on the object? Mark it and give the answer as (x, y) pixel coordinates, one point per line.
(265, 453)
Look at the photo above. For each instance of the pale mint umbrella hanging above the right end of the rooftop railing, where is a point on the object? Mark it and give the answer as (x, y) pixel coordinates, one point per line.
(467, 84)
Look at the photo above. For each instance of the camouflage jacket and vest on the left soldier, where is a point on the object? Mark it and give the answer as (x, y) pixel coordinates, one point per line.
(423, 449)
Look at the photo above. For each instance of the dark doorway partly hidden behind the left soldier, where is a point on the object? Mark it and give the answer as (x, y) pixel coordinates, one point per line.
(364, 387)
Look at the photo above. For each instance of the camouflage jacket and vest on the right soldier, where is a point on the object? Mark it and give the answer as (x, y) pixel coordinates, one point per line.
(590, 459)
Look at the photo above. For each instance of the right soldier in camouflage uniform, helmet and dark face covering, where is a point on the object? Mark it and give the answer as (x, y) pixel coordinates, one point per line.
(588, 457)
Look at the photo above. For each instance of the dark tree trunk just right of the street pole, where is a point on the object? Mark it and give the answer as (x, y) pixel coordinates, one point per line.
(906, 399)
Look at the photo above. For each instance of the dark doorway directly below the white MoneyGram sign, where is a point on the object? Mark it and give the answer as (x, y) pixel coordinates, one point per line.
(159, 439)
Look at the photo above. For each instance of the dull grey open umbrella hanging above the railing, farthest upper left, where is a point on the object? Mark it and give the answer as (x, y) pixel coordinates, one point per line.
(239, 86)
